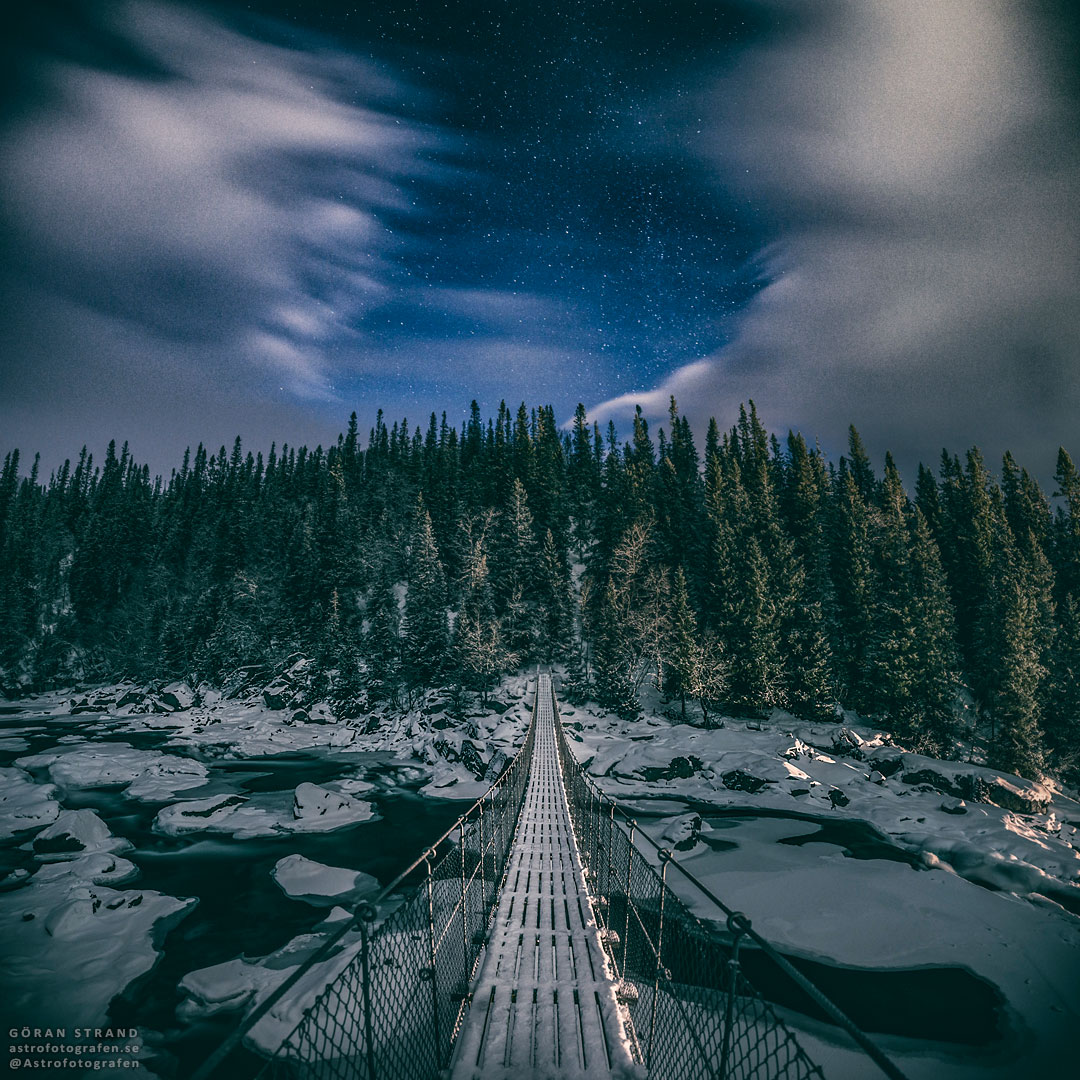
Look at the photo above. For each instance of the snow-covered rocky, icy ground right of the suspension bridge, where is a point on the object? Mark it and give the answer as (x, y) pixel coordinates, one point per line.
(988, 886)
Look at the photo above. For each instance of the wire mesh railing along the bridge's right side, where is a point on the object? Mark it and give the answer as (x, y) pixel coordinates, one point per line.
(693, 1014)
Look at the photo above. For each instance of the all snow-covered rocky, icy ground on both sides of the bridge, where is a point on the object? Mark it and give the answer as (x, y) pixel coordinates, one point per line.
(989, 880)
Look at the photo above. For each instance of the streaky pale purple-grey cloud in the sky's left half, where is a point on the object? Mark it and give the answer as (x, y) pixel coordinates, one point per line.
(234, 194)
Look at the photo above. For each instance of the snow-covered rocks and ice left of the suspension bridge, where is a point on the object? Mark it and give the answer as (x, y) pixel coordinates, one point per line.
(74, 939)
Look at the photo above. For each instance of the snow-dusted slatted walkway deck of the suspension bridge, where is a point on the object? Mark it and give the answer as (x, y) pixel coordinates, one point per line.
(544, 1005)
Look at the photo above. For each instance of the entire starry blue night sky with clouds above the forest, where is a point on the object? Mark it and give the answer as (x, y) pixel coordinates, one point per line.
(253, 219)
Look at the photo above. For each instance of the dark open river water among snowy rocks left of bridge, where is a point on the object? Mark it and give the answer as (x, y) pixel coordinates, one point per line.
(241, 912)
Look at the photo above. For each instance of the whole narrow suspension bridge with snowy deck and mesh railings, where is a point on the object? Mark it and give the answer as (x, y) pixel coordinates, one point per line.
(542, 940)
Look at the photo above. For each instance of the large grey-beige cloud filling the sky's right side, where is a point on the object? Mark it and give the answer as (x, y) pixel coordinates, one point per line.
(922, 165)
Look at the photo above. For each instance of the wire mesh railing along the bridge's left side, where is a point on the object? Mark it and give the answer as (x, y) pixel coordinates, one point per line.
(395, 1009)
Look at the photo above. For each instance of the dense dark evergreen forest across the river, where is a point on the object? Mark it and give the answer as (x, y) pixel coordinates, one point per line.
(757, 575)
